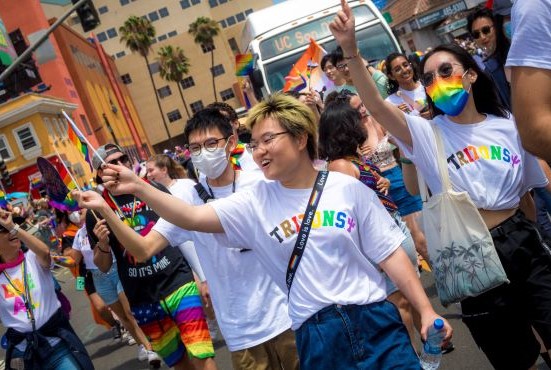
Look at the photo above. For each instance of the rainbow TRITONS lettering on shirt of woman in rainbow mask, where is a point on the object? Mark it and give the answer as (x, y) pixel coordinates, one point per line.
(471, 154)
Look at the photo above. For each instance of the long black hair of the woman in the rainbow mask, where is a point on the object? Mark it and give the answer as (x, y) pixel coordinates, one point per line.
(483, 89)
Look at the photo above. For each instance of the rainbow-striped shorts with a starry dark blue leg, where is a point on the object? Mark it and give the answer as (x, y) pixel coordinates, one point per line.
(176, 324)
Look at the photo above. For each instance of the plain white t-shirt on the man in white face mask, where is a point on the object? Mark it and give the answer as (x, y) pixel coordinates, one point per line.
(250, 308)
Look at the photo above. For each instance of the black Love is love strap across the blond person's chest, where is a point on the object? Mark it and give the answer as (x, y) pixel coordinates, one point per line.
(305, 227)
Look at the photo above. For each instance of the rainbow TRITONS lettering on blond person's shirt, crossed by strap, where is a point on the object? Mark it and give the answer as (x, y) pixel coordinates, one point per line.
(325, 218)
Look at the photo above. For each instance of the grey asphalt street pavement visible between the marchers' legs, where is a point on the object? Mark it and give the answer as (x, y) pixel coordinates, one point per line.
(108, 355)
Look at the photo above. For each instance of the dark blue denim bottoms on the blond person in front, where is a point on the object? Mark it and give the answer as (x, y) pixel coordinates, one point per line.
(355, 337)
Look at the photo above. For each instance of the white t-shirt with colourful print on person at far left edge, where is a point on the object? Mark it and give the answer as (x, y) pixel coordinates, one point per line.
(13, 313)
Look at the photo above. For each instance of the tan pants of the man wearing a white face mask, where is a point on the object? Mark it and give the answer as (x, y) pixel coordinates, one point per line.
(275, 354)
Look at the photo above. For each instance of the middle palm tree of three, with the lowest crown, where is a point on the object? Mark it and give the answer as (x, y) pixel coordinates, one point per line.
(173, 66)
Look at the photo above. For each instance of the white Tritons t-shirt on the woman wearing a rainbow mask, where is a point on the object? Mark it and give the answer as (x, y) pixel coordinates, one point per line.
(485, 159)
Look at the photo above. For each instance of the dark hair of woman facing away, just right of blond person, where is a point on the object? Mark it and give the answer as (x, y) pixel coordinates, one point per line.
(341, 131)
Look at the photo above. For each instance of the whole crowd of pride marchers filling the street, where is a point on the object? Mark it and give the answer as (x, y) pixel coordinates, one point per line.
(302, 243)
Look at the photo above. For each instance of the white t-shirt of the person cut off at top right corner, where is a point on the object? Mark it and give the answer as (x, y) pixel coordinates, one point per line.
(531, 30)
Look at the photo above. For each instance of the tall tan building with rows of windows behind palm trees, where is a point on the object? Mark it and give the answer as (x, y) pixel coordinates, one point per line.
(171, 19)
